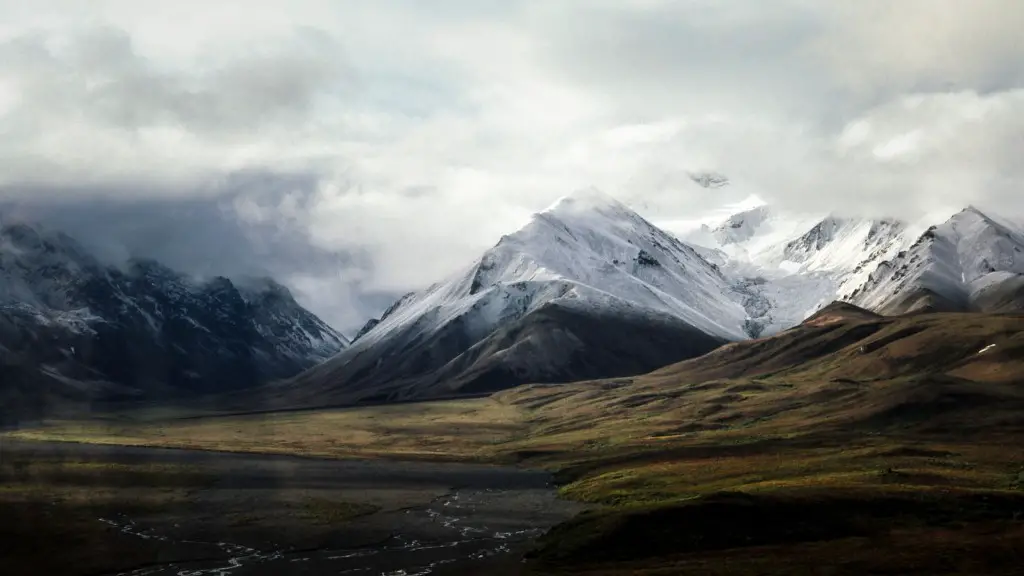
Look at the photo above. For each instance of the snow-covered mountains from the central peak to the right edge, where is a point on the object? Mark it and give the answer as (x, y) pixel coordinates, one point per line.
(589, 289)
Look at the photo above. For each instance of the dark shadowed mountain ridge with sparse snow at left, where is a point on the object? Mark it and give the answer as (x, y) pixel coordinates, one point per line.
(76, 327)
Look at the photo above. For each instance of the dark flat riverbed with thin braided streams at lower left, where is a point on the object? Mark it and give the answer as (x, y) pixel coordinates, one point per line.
(87, 510)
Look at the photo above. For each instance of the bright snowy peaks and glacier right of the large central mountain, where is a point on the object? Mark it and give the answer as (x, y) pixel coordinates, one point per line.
(791, 265)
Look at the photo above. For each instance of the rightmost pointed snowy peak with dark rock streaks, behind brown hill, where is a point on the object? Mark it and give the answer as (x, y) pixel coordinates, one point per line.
(951, 267)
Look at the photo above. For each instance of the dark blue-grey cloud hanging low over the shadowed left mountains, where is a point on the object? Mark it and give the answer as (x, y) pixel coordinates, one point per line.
(255, 226)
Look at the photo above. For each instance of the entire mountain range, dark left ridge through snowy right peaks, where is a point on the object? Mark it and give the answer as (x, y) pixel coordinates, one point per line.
(588, 289)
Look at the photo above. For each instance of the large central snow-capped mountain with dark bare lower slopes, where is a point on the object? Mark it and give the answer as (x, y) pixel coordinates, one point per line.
(587, 289)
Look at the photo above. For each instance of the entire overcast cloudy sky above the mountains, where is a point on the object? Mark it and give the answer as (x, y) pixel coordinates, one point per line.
(359, 150)
